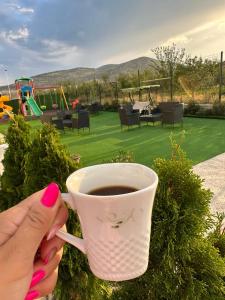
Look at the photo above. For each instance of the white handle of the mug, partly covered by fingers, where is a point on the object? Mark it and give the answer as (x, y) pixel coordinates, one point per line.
(69, 238)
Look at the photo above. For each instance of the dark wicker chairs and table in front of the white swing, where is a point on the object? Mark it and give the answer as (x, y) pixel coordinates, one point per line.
(166, 113)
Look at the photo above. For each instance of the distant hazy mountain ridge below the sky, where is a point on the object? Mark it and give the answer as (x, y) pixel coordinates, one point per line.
(111, 71)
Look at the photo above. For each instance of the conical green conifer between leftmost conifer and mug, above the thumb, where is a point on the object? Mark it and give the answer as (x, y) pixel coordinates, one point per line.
(47, 161)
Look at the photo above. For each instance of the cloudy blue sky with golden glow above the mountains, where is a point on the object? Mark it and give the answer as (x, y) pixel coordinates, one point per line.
(38, 36)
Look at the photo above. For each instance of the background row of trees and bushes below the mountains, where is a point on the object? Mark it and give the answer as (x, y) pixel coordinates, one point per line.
(191, 78)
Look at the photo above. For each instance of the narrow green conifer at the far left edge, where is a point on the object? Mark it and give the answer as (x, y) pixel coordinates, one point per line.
(12, 179)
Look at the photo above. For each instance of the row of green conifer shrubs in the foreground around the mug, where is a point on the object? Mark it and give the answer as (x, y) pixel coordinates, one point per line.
(187, 248)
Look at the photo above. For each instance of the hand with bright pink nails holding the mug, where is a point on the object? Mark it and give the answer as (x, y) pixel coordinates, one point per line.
(29, 250)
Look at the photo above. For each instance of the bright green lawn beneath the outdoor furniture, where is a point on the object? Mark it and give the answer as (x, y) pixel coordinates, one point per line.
(203, 139)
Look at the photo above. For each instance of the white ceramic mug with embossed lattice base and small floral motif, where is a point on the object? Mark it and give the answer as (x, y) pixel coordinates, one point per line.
(116, 229)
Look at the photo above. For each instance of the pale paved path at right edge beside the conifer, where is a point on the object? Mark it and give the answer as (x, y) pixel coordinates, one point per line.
(213, 173)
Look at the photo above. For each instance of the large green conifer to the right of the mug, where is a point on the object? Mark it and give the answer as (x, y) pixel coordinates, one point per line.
(184, 264)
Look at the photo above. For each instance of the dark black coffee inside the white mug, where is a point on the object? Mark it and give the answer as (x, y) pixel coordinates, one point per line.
(112, 190)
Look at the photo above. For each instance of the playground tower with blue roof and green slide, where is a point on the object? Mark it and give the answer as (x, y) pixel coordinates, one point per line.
(25, 92)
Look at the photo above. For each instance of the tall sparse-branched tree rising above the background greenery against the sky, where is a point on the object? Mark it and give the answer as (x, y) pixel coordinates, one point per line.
(169, 58)
